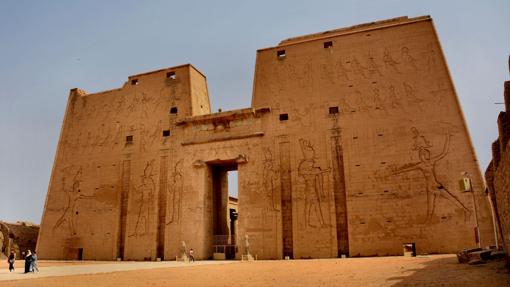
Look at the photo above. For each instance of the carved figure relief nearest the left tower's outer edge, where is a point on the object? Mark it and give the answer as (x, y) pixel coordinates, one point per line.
(73, 194)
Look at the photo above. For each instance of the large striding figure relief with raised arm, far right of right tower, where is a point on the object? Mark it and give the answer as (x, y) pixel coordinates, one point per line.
(434, 188)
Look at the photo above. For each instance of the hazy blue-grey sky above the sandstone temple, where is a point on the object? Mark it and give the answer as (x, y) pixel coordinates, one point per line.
(49, 47)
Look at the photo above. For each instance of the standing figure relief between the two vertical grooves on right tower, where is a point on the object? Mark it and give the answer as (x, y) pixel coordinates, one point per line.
(315, 195)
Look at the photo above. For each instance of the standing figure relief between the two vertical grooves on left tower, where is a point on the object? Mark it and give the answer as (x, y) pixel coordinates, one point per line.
(145, 190)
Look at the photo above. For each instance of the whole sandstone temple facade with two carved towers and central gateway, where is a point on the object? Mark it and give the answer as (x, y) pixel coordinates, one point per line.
(354, 145)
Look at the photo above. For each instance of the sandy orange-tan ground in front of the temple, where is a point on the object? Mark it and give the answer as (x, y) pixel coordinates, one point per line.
(438, 270)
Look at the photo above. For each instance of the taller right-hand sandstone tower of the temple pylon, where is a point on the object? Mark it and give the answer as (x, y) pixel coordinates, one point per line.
(400, 129)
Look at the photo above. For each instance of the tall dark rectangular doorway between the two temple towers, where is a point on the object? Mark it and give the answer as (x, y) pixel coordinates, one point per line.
(223, 175)
